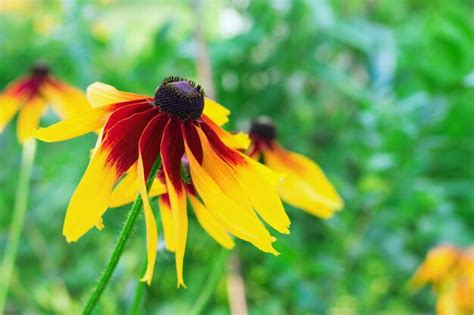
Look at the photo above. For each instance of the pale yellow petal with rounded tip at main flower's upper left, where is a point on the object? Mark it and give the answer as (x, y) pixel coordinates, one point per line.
(100, 94)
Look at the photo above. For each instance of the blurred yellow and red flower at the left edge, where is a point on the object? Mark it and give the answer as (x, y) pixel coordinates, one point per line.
(30, 96)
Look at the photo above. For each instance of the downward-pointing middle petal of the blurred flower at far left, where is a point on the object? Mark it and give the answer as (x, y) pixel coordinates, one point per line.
(29, 117)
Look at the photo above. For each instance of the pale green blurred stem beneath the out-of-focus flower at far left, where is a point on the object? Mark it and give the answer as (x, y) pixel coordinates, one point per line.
(21, 202)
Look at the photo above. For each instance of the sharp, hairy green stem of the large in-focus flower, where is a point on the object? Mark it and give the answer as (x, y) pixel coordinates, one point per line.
(120, 246)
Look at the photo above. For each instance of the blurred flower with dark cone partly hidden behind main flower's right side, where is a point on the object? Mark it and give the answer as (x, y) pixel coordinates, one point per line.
(305, 186)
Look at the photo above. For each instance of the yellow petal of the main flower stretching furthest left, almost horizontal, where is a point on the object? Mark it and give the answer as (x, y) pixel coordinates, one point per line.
(86, 122)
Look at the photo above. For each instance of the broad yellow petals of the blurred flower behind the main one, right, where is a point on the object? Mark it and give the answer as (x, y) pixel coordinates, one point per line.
(306, 185)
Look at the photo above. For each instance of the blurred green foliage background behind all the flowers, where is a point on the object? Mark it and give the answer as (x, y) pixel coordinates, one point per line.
(380, 93)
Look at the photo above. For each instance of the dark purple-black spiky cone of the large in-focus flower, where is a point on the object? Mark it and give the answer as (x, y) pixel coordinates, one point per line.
(180, 98)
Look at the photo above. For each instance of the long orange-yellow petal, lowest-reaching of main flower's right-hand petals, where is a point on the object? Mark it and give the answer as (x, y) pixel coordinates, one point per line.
(235, 219)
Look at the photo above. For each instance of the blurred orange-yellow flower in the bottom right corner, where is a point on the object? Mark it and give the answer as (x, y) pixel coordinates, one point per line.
(450, 271)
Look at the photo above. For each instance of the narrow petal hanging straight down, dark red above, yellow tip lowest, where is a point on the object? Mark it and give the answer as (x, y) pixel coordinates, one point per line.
(171, 152)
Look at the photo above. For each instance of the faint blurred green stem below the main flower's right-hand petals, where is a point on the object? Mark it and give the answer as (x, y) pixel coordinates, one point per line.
(211, 283)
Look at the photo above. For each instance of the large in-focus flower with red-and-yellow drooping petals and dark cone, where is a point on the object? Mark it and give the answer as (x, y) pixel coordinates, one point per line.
(178, 124)
